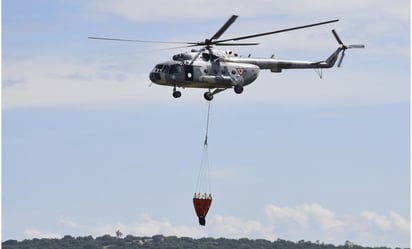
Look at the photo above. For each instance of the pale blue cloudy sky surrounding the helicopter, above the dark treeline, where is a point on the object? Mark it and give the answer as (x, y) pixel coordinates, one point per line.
(88, 147)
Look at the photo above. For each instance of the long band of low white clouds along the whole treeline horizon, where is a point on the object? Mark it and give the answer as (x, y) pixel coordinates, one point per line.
(307, 221)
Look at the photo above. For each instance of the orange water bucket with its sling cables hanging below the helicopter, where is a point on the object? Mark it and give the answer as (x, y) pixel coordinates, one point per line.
(202, 199)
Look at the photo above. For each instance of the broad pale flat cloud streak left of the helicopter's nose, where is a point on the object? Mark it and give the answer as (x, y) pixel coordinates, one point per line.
(53, 81)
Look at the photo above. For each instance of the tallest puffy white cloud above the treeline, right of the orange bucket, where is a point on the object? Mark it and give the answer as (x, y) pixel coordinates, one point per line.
(314, 222)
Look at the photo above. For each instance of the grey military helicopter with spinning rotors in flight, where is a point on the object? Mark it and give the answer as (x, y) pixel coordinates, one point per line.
(218, 70)
